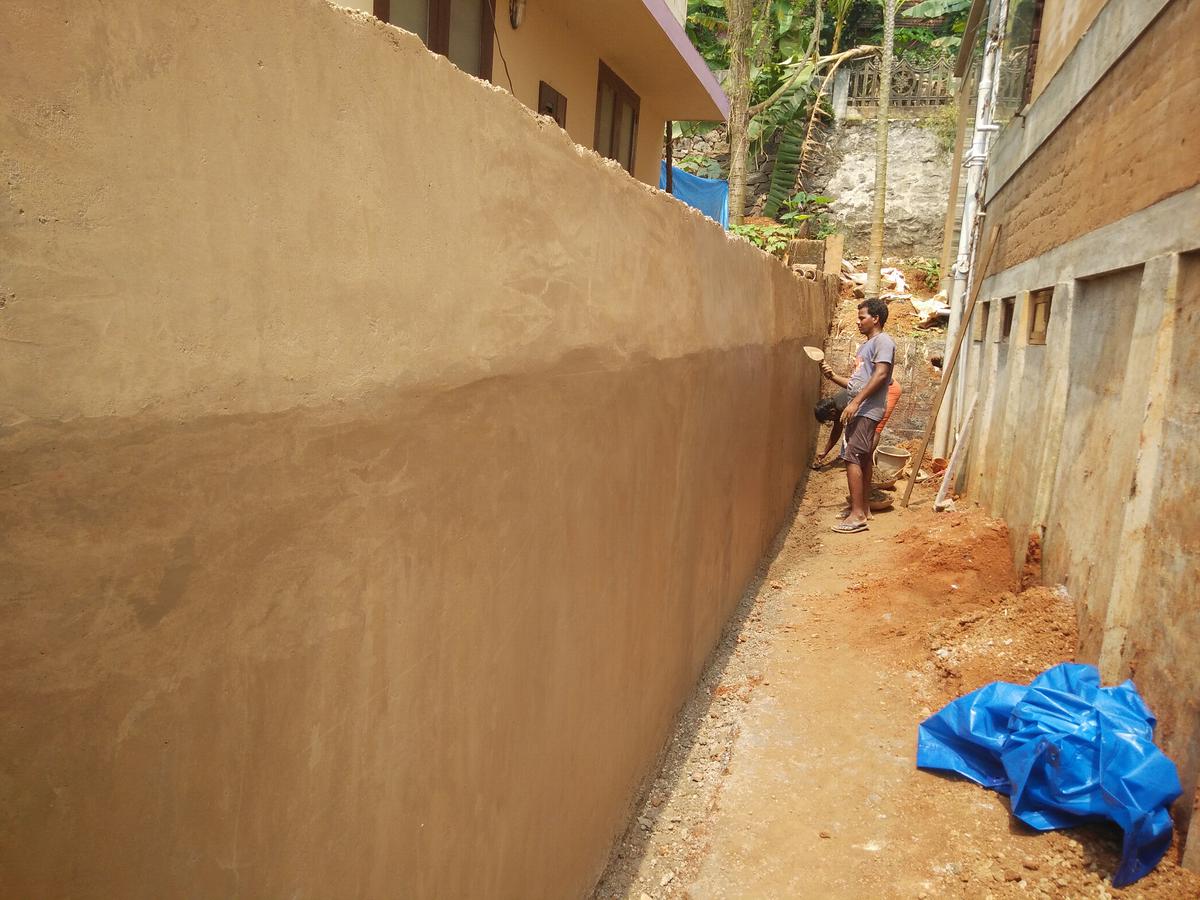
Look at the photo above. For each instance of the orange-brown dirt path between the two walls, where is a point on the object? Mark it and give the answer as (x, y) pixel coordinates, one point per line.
(793, 770)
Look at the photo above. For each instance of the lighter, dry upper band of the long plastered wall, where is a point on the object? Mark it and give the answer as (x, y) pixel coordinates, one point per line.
(212, 344)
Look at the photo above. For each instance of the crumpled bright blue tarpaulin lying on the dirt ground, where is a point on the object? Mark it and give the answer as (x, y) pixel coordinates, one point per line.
(1067, 752)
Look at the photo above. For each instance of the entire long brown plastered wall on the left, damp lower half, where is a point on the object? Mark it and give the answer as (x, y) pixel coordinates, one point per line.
(379, 467)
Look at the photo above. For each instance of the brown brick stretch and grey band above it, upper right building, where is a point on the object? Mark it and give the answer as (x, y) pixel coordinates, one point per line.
(1109, 141)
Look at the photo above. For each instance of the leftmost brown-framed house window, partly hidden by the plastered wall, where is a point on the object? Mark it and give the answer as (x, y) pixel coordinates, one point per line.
(461, 31)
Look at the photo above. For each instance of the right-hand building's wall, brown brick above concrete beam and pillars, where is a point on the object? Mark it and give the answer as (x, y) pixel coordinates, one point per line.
(1089, 441)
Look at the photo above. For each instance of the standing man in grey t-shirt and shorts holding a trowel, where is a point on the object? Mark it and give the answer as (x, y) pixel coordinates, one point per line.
(863, 413)
